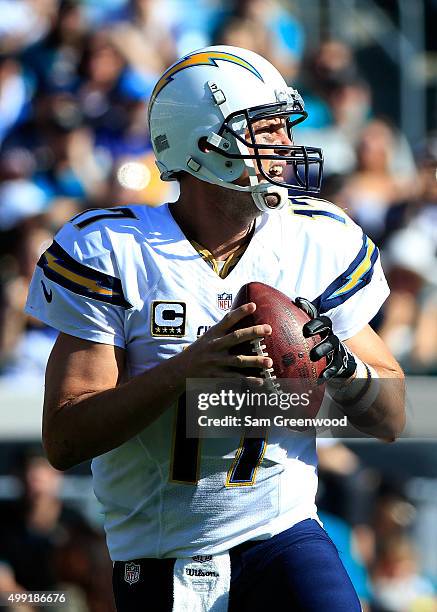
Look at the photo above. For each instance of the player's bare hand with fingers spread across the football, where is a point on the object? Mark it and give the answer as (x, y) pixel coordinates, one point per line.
(210, 355)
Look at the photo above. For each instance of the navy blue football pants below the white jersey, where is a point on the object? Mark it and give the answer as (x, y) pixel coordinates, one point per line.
(298, 570)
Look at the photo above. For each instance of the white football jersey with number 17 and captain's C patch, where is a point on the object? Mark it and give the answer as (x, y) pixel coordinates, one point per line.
(128, 276)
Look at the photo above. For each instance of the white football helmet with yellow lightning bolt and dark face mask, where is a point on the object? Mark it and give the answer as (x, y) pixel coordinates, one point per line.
(201, 114)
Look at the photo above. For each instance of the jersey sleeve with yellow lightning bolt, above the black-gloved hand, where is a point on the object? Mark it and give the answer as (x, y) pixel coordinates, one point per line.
(359, 289)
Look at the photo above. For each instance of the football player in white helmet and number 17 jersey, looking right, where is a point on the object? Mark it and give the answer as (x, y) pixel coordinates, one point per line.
(218, 524)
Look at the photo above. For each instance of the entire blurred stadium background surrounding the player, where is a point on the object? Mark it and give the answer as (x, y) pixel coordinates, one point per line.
(74, 77)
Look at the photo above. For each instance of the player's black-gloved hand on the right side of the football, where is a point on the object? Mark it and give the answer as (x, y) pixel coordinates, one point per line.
(341, 362)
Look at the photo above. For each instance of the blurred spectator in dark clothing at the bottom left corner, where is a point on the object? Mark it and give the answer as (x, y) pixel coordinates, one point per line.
(46, 545)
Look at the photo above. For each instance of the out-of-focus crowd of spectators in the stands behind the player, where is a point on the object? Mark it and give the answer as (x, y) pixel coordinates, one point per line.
(75, 77)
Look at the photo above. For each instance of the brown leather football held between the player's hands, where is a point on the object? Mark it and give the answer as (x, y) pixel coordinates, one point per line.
(286, 346)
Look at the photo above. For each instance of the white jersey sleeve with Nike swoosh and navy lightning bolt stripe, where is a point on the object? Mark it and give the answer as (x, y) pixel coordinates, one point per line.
(76, 288)
